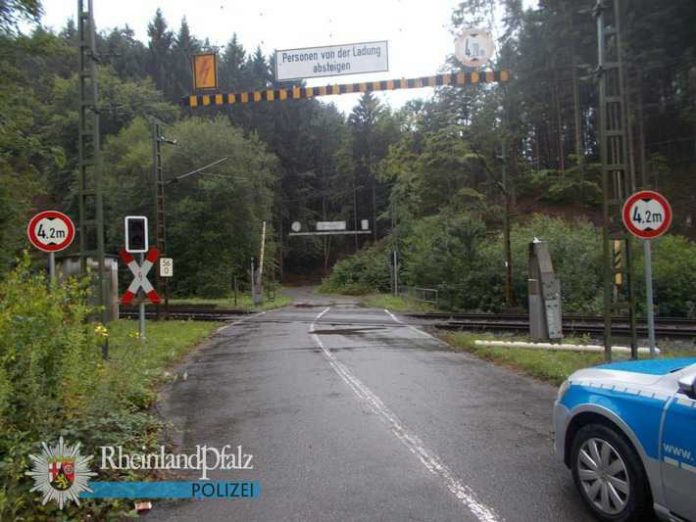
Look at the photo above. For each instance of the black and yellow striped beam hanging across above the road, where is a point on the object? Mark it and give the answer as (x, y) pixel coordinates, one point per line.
(299, 93)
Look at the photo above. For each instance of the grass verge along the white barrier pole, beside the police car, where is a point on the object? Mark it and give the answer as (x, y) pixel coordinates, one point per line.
(551, 366)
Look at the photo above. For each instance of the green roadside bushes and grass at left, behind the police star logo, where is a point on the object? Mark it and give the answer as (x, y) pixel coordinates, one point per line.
(53, 382)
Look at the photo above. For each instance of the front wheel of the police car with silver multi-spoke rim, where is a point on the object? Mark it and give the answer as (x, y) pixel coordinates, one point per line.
(609, 475)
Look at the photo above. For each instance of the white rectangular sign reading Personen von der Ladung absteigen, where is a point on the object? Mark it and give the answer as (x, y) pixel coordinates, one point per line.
(334, 60)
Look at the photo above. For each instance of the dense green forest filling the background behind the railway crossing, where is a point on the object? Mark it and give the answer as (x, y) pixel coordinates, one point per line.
(432, 177)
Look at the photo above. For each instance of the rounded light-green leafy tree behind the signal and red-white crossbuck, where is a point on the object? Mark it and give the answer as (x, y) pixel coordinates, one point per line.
(213, 218)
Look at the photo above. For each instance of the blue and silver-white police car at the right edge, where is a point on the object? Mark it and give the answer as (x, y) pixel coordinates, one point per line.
(627, 431)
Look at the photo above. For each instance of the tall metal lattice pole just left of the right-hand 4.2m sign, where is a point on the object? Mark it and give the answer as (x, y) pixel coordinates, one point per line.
(617, 180)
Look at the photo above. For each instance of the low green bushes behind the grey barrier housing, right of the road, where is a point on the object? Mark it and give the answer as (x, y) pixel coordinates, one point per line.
(457, 256)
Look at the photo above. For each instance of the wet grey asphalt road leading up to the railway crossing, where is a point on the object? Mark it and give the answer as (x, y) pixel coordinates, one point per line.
(352, 415)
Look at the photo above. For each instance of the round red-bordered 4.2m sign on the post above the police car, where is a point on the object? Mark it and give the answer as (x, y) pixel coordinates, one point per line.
(647, 214)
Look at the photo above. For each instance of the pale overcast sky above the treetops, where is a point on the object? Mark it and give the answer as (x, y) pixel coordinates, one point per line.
(418, 31)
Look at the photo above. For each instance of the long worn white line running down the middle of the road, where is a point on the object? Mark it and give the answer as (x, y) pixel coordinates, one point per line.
(415, 445)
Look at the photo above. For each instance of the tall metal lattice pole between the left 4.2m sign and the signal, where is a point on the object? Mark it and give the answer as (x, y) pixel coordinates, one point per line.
(91, 218)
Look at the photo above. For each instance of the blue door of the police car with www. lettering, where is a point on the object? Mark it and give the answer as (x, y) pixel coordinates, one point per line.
(678, 450)
